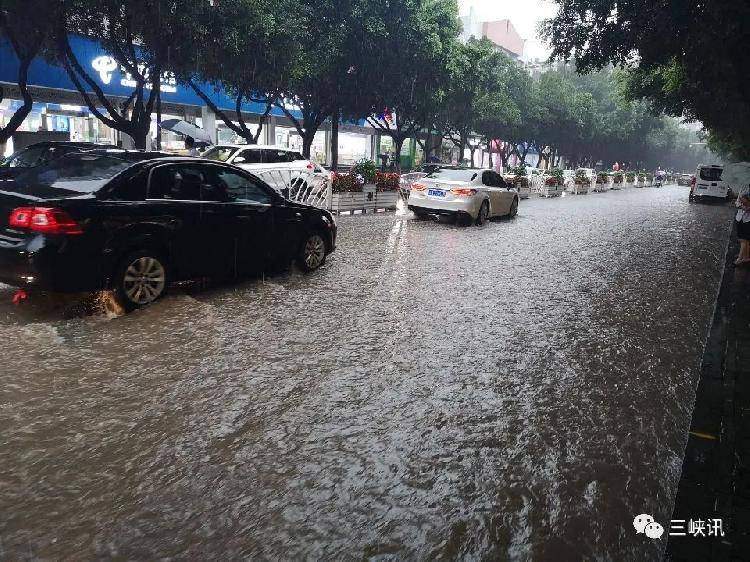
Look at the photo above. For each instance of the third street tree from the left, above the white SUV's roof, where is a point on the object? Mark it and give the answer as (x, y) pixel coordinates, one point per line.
(246, 50)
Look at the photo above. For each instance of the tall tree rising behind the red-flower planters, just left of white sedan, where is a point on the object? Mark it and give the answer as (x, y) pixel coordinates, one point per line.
(410, 69)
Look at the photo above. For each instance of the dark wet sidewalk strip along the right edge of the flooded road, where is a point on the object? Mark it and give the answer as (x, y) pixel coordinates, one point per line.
(715, 479)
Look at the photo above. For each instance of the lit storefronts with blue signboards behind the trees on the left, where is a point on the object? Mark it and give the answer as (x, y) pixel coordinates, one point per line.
(59, 107)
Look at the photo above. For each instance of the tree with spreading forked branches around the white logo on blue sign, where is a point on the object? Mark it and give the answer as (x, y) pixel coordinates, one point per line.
(144, 38)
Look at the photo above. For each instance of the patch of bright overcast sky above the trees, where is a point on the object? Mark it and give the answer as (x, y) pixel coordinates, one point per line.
(524, 14)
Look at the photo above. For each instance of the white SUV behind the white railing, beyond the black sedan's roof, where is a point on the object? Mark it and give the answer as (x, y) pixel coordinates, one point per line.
(290, 166)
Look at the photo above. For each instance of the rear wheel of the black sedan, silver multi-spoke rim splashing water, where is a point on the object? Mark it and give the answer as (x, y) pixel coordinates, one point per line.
(140, 279)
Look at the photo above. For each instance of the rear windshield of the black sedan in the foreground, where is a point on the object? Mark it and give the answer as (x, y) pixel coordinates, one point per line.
(82, 173)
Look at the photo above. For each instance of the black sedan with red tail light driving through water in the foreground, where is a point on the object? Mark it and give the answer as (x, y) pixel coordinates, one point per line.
(91, 221)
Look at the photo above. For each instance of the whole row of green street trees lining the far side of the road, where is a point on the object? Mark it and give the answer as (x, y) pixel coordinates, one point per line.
(397, 64)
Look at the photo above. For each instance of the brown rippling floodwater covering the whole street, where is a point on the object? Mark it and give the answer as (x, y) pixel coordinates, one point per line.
(518, 391)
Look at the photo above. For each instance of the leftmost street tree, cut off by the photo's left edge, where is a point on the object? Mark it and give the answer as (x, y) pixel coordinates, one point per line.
(19, 26)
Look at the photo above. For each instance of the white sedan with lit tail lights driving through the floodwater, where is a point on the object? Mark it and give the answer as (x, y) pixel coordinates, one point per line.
(468, 194)
